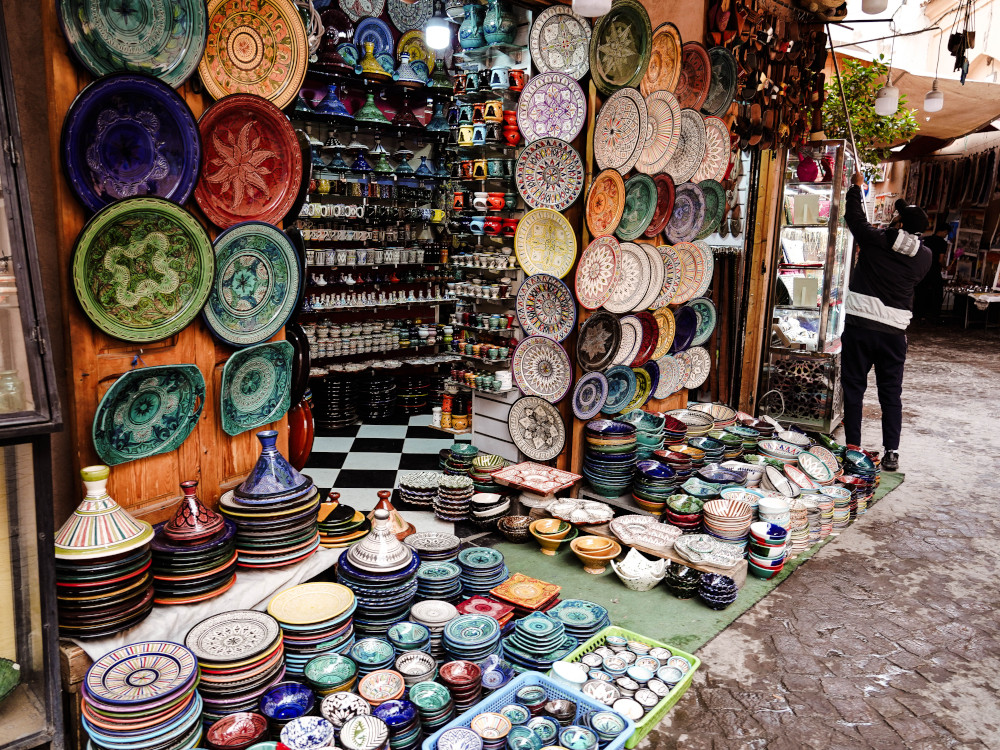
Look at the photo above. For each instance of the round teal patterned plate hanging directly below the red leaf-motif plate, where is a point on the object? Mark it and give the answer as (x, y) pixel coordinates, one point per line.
(256, 285)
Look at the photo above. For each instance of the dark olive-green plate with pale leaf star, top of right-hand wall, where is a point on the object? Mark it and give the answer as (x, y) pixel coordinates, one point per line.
(620, 46)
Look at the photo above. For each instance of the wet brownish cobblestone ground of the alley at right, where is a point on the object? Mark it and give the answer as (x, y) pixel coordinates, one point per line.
(888, 637)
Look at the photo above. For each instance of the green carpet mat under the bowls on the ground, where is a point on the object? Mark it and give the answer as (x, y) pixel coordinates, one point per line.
(686, 624)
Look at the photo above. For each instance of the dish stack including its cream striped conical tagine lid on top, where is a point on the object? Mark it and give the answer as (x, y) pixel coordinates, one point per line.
(103, 560)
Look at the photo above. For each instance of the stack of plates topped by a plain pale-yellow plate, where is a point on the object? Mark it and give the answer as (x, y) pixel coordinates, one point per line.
(315, 619)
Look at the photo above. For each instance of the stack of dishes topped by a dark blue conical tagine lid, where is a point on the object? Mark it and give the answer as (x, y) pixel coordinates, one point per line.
(275, 511)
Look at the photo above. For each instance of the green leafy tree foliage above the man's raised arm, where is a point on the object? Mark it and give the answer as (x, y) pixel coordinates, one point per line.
(872, 133)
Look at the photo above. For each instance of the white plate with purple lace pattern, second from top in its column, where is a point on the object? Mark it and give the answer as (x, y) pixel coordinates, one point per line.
(552, 105)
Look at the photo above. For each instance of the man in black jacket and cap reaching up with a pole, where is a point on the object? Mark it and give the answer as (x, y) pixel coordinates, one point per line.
(879, 306)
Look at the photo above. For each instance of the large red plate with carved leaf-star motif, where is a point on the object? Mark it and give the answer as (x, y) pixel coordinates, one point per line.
(251, 162)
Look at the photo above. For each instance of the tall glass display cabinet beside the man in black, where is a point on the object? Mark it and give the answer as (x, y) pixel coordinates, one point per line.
(812, 262)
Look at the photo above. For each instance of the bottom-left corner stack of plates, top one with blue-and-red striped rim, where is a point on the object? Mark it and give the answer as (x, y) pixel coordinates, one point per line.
(143, 695)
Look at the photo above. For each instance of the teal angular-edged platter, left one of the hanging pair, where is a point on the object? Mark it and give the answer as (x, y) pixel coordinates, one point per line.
(148, 411)
